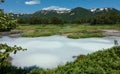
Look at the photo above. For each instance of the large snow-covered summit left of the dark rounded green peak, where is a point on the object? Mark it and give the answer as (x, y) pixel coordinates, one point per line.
(57, 9)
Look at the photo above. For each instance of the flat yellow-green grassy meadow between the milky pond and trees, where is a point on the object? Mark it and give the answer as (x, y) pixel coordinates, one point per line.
(74, 31)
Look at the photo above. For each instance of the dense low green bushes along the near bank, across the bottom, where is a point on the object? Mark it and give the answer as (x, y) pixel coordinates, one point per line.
(105, 61)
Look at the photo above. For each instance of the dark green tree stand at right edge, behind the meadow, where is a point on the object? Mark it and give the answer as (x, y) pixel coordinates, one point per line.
(106, 18)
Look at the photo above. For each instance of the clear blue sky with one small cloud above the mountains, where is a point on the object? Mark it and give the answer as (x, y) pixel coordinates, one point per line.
(30, 6)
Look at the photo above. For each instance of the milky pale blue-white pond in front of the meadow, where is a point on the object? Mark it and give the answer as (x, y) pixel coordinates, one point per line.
(51, 51)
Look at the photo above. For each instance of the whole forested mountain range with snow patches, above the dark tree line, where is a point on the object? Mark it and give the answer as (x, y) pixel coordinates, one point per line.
(68, 14)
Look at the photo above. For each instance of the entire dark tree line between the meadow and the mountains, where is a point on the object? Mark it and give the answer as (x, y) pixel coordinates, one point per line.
(103, 18)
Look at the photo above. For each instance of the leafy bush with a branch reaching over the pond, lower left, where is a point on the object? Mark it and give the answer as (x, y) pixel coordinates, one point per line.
(5, 65)
